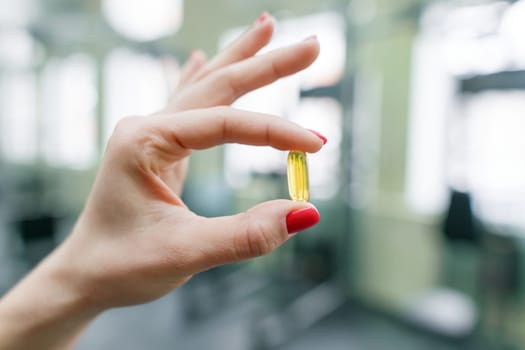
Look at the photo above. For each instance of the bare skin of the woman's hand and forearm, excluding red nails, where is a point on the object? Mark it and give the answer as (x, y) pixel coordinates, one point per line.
(136, 240)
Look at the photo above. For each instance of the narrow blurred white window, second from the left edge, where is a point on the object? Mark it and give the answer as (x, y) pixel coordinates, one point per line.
(69, 97)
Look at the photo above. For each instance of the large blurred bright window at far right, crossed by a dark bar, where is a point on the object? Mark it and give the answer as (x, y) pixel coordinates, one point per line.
(447, 127)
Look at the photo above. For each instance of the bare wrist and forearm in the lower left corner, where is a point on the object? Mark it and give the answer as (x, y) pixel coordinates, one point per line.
(46, 310)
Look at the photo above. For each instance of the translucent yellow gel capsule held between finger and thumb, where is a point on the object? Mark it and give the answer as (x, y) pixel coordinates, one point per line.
(298, 176)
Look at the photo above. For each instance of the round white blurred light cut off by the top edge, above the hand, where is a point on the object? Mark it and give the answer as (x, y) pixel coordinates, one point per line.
(144, 20)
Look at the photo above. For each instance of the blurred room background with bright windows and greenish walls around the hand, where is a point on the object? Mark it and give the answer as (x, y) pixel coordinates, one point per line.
(421, 187)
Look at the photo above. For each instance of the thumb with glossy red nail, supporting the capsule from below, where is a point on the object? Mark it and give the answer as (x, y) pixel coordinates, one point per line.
(256, 232)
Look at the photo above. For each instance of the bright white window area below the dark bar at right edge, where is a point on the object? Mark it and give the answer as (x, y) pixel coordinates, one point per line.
(495, 169)
